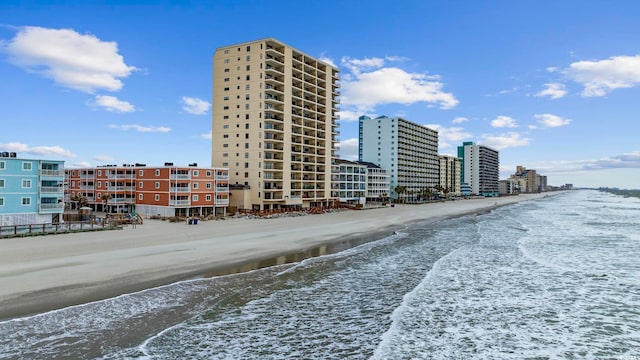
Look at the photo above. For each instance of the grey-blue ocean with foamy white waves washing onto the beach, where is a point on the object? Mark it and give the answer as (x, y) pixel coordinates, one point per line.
(552, 278)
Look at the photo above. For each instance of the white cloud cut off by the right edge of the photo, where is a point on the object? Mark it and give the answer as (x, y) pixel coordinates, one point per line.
(603, 76)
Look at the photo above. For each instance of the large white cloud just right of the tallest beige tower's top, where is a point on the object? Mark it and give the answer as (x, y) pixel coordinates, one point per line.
(370, 84)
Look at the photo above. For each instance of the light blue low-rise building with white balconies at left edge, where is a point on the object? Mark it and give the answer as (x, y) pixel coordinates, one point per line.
(31, 191)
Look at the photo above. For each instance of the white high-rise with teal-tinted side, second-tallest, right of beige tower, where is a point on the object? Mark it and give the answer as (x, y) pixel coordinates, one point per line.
(409, 152)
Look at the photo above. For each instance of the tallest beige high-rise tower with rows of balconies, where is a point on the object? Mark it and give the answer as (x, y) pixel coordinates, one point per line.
(274, 123)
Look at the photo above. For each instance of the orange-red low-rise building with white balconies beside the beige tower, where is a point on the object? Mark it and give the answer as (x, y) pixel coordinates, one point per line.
(156, 190)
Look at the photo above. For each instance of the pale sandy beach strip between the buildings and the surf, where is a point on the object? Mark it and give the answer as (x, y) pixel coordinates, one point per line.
(44, 273)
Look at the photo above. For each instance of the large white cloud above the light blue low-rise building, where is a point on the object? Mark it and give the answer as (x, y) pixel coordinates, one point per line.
(73, 60)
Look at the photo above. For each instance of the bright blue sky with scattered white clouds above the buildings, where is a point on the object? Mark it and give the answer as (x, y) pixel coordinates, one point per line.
(552, 85)
